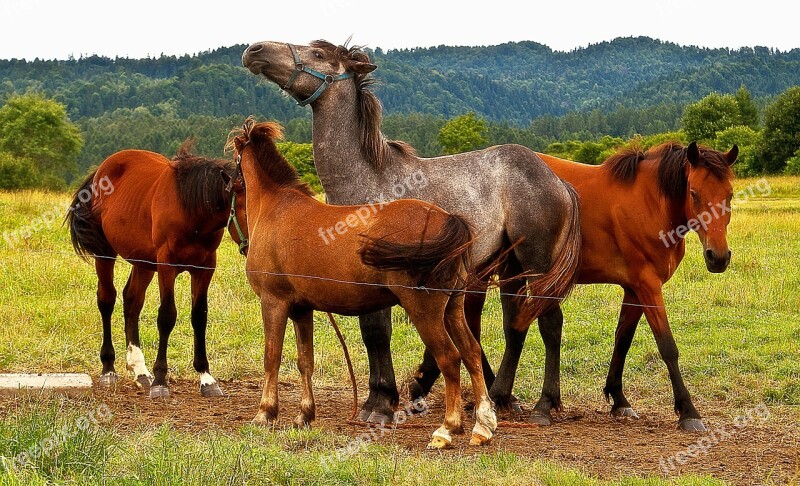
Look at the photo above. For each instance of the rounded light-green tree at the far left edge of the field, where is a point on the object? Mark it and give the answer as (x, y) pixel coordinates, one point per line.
(37, 129)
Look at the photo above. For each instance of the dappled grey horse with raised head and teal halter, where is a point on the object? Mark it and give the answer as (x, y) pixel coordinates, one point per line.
(508, 196)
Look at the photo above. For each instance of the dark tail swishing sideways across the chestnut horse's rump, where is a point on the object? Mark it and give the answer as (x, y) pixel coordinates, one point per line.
(434, 261)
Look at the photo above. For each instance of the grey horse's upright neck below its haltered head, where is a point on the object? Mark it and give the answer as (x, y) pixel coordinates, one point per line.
(345, 173)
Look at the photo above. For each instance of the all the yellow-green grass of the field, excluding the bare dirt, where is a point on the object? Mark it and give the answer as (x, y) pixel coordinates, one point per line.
(738, 335)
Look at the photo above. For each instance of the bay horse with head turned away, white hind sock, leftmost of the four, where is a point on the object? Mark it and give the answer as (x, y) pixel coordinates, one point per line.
(161, 216)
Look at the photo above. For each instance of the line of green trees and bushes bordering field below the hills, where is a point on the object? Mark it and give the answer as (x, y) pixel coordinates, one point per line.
(41, 147)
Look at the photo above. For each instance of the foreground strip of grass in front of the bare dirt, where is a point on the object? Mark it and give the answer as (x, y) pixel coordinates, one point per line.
(162, 455)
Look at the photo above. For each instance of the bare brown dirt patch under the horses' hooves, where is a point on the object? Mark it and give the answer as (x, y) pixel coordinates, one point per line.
(742, 451)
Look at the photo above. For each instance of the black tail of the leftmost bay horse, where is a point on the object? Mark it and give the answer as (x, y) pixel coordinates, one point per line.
(85, 231)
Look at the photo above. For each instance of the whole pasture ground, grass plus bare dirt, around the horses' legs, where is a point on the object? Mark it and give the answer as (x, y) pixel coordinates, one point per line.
(738, 334)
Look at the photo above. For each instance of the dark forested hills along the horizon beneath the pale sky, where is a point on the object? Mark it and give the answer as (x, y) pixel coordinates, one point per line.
(514, 82)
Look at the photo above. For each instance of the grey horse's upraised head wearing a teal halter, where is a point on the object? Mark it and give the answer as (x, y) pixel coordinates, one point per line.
(305, 72)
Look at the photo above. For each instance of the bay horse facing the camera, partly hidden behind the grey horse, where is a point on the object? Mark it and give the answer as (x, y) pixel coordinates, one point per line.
(636, 209)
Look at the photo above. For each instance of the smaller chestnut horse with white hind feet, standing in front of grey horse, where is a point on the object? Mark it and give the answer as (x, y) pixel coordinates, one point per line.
(379, 258)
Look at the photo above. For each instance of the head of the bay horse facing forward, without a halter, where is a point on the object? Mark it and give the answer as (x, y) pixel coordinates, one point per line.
(708, 201)
